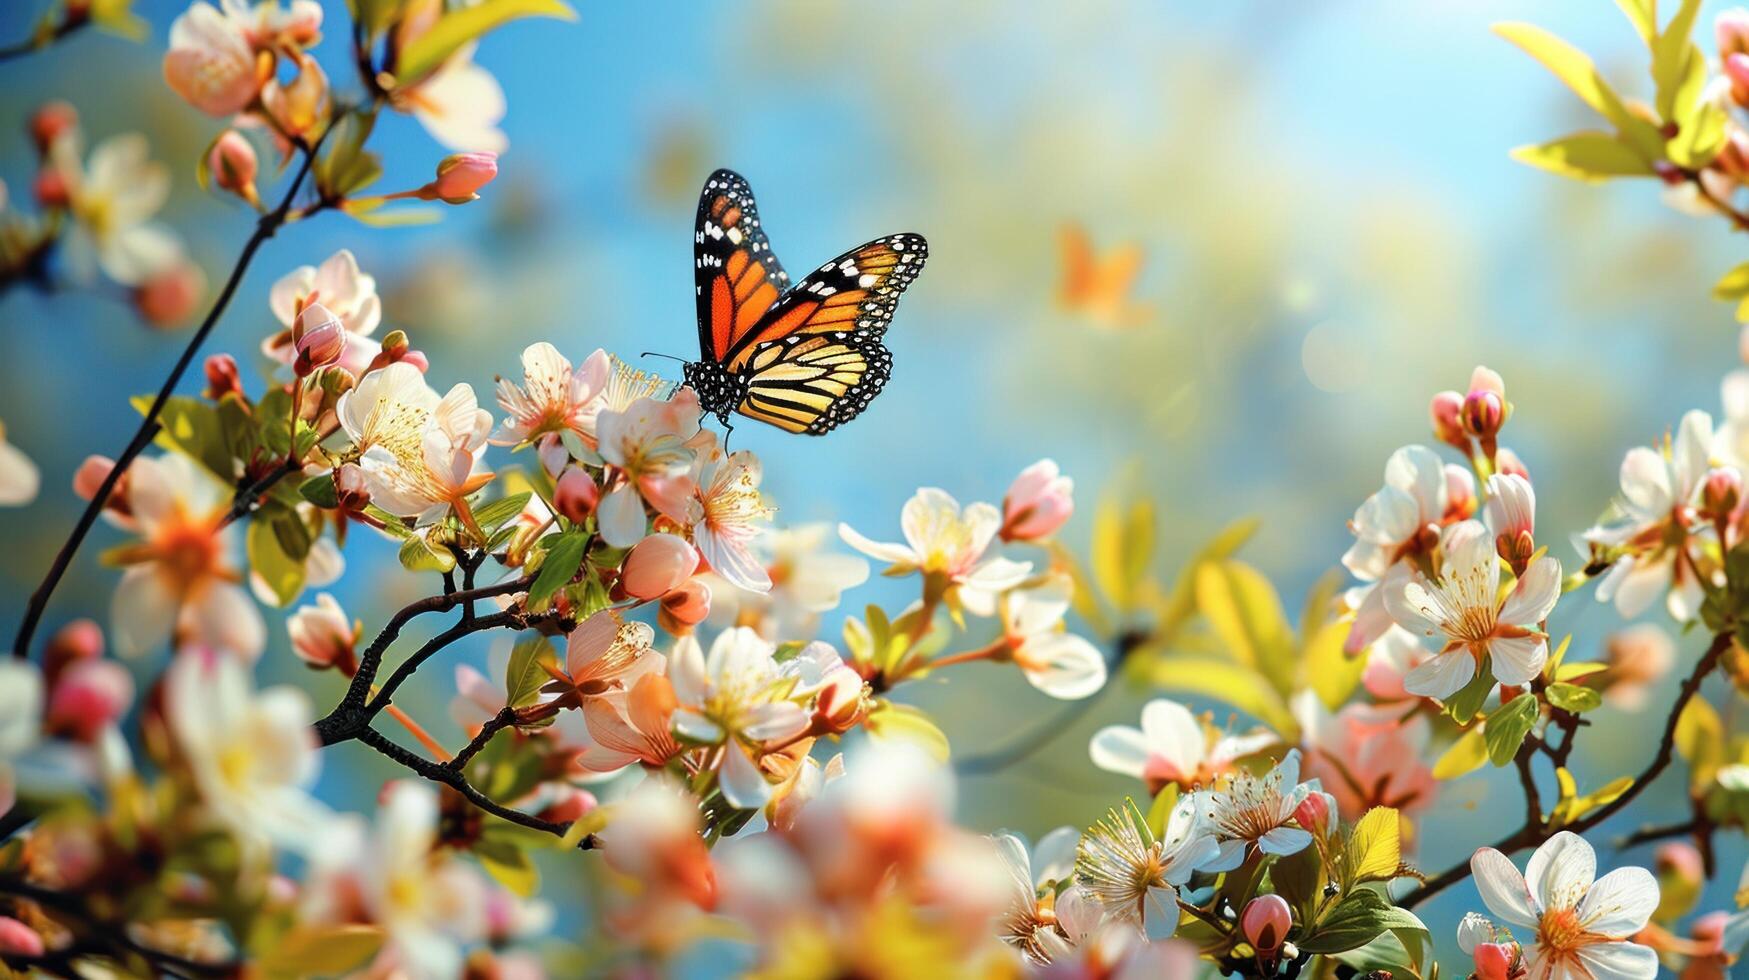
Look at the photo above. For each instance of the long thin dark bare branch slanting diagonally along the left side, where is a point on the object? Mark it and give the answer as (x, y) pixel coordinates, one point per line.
(150, 426)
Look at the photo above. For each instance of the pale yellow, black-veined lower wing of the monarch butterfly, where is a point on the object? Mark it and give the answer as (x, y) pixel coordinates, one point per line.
(814, 382)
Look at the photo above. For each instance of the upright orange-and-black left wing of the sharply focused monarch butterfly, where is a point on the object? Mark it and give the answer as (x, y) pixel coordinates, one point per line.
(734, 270)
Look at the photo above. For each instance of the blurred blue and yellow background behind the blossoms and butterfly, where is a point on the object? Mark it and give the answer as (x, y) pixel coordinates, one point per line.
(1332, 234)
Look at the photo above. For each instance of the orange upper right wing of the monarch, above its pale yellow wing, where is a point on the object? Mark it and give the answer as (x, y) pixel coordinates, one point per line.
(853, 295)
